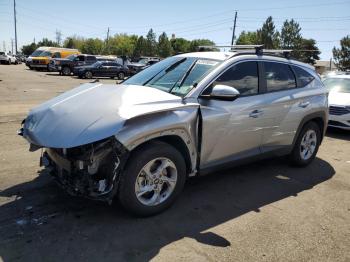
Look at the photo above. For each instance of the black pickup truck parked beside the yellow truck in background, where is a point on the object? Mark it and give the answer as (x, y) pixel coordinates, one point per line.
(66, 65)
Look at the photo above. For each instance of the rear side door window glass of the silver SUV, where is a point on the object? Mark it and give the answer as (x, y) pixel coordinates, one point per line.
(278, 77)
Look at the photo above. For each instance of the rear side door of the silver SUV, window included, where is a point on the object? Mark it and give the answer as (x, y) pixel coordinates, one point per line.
(285, 105)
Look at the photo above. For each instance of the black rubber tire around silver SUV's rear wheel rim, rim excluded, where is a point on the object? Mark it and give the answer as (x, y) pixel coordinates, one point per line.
(295, 157)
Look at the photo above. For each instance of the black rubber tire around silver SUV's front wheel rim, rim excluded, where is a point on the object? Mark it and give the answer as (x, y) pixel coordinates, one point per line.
(138, 159)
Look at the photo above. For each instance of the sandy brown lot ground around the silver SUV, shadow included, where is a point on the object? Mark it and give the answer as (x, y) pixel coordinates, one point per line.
(265, 211)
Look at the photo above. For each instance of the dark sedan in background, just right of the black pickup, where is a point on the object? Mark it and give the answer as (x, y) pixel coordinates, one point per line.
(102, 68)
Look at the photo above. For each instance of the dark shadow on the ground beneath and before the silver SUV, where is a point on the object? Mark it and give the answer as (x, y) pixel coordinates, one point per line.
(42, 223)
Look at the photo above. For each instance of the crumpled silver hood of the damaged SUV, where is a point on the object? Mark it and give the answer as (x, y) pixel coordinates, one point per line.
(92, 112)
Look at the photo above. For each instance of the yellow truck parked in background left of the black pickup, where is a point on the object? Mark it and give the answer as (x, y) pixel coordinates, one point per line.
(42, 61)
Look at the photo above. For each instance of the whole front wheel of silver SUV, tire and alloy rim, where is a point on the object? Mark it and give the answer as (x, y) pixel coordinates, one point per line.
(153, 178)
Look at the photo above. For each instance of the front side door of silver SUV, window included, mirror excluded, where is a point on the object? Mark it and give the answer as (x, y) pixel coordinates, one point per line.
(233, 129)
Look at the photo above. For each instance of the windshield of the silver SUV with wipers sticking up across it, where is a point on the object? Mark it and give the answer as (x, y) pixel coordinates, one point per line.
(176, 75)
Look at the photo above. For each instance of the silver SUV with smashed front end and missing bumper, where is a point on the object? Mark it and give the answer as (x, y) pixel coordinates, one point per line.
(184, 116)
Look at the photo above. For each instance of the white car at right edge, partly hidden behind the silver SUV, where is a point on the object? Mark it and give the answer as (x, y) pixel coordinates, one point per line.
(339, 100)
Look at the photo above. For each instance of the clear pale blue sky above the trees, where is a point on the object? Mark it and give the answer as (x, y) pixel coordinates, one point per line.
(325, 21)
